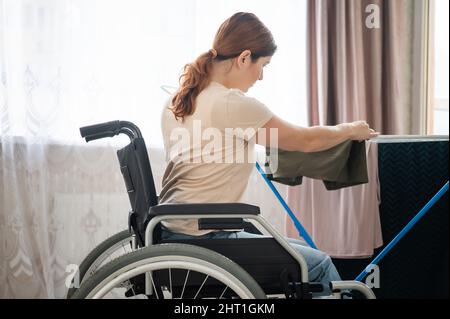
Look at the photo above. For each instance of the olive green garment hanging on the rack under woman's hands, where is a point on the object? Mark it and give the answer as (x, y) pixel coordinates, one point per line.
(341, 166)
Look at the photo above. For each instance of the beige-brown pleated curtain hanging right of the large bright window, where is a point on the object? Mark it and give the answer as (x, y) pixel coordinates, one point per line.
(360, 69)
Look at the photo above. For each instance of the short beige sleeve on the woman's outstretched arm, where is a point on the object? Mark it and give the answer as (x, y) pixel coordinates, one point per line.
(245, 114)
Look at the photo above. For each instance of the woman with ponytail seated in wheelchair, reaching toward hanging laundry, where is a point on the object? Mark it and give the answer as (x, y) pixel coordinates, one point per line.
(211, 95)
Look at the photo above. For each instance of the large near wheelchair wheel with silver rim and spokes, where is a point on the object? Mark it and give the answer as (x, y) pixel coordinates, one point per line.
(175, 271)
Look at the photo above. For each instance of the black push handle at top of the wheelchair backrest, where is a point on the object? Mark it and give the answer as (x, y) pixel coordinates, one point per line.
(109, 129)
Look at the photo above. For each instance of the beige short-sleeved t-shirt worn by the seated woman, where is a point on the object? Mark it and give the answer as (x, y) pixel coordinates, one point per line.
(211, 154)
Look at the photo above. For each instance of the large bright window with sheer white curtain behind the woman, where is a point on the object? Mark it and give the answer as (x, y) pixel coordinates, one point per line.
(65, 64)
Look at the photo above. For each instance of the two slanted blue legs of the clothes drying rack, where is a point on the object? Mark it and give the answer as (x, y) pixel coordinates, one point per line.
(303, 233)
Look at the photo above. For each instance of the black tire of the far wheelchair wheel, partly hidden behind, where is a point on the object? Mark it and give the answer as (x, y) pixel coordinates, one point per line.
(96, 253)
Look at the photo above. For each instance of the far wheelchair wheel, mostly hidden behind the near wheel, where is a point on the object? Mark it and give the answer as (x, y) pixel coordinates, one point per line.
(111, 248)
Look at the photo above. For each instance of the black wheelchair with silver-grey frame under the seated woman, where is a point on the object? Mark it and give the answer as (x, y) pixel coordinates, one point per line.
(137, 263)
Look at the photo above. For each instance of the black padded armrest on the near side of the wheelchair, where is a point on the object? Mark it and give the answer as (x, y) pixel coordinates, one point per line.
(204, 208)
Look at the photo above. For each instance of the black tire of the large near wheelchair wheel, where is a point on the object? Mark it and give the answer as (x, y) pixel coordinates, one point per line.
(166, 252)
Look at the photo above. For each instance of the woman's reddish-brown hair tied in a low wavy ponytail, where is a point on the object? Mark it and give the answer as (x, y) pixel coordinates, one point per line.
(242, 31)
